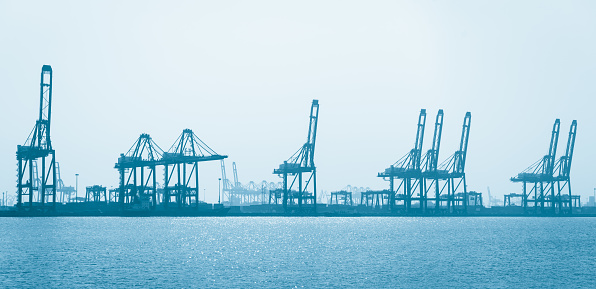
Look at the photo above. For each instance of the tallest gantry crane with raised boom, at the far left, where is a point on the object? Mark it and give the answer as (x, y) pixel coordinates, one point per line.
(38, 146)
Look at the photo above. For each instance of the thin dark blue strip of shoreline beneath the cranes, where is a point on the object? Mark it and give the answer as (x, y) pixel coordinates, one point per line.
(218, 210)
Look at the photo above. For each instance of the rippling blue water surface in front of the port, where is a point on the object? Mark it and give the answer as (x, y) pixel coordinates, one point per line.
(298, 252)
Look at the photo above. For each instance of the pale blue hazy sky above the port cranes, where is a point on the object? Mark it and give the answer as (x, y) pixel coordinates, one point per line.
(242, 75)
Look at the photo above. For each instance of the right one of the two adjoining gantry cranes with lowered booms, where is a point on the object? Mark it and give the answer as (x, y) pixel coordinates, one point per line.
(186, 153)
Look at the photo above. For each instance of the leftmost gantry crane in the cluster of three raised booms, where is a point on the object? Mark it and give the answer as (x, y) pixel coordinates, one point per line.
(408, 170)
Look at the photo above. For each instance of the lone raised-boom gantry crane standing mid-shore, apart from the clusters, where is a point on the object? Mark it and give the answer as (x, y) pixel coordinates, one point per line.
(303, 161)
